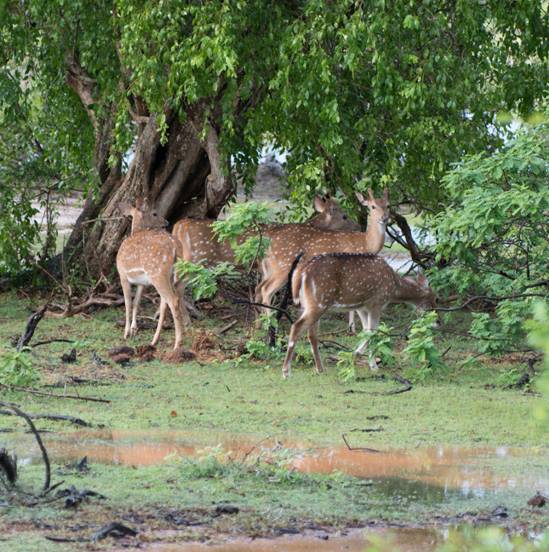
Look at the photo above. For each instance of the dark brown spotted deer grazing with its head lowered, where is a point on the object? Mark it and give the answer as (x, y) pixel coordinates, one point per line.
(349, 281)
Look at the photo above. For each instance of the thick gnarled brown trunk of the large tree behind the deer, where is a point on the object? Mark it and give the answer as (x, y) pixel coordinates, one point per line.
(182, 177)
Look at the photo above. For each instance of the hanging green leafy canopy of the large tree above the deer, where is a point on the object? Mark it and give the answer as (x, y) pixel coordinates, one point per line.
(356, 93)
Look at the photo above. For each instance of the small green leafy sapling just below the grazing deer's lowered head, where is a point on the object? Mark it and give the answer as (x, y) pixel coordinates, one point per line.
(421, 350)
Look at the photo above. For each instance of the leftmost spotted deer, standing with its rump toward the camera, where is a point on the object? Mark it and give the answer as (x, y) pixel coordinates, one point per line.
(147, 257)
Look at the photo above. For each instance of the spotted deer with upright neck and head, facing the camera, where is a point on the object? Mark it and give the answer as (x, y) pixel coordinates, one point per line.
(287, 243)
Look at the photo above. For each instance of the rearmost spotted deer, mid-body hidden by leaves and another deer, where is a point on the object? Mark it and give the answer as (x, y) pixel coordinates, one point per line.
(200, 244)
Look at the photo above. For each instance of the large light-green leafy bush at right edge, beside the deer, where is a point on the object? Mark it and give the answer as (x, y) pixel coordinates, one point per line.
(491, 239)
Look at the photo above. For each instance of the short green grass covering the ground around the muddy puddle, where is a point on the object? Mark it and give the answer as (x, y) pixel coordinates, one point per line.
(221, 392)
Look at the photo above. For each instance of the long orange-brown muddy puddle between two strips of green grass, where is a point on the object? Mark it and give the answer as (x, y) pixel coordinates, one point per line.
(447, 469)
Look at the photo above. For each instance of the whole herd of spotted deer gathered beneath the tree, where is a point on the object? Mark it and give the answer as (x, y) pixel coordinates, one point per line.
(328, 262)
